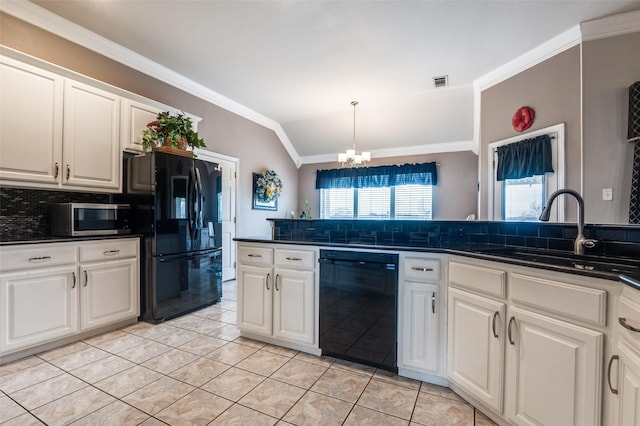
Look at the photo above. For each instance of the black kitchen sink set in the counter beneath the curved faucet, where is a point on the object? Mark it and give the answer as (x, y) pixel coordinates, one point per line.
(568, 260)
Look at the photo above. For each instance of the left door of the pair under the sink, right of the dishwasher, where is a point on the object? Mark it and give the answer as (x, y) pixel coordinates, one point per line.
(476, 346)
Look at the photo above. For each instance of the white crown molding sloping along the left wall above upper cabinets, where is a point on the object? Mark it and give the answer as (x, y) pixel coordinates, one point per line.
(68, 30)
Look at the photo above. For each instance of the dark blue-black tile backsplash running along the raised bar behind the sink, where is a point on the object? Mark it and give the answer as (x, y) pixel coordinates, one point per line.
(613, 240)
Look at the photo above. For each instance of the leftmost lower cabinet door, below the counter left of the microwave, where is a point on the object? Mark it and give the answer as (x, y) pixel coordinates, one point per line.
(37, 307)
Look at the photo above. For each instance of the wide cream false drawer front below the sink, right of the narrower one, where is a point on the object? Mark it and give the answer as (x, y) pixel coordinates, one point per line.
(565, 300)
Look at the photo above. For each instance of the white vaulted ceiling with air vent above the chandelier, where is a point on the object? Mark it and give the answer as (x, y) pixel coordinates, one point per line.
(301, 63)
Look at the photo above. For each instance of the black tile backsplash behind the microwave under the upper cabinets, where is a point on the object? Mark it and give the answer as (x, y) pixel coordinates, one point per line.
(24, 213)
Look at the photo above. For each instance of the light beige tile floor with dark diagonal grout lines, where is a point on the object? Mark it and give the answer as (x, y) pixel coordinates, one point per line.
(196, 370)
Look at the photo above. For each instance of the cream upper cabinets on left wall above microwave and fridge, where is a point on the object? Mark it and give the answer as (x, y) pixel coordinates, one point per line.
(60, 130)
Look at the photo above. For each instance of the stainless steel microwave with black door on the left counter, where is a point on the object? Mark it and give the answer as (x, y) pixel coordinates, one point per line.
(81, 219)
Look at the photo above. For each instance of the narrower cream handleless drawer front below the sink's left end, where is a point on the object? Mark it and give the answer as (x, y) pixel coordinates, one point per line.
(478, 278)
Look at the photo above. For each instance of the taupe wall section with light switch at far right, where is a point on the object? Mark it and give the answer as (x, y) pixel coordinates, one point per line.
(610, 66)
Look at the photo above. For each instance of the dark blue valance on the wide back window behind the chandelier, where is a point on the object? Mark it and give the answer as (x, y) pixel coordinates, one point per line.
(378, 177)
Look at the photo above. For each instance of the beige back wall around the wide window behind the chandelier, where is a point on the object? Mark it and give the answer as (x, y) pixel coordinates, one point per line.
(455, 195)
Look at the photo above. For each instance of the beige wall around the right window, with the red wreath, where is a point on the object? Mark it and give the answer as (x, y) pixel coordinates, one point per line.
(552, 89)
